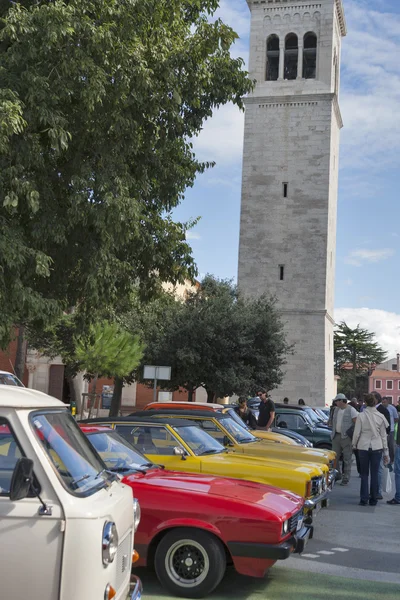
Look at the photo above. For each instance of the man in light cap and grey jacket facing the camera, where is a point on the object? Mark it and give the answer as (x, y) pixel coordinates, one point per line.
(344, 417)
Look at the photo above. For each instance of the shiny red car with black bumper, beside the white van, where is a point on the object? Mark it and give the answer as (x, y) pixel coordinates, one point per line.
(193, 525)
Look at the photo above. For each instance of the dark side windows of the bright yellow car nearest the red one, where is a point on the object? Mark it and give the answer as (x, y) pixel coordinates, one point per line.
(152, 440)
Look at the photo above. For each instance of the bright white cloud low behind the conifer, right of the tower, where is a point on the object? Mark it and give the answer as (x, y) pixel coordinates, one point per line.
(385, 325)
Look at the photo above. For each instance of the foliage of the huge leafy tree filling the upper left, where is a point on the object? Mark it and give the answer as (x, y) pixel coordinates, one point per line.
(99, 102)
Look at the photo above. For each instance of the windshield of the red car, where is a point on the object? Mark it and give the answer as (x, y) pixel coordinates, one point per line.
(117, 453)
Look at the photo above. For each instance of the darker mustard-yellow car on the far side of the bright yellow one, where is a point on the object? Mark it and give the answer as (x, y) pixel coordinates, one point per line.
(232, 435)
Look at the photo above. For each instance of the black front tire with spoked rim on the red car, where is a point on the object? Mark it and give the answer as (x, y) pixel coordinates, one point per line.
(196, 547)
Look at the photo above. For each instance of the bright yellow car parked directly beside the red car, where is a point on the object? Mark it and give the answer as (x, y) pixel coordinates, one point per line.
(182, 446)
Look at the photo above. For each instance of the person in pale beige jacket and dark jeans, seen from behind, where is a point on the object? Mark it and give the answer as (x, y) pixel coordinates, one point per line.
(370, 439)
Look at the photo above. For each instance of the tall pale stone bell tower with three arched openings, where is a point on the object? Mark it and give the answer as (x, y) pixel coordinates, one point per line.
(290, 181)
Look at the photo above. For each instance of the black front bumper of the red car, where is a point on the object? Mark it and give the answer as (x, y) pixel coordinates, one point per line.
(294, 545)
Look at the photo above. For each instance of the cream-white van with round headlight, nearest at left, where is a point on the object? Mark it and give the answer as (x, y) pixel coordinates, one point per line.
(66, 524)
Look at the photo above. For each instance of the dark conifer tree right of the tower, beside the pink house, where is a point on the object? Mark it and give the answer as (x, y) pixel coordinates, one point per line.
(356, 351)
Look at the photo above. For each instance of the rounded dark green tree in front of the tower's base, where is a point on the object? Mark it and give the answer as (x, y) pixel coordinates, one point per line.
(218, 340)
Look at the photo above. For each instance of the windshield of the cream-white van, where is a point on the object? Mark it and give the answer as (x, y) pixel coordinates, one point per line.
(79, 468)
